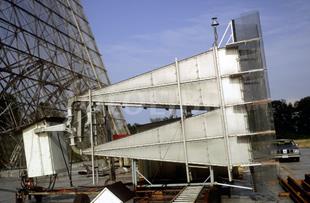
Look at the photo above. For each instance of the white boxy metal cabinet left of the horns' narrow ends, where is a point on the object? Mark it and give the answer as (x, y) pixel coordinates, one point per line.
(43, 150)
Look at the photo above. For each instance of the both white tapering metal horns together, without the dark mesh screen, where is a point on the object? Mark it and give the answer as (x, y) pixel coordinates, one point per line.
(204, 133)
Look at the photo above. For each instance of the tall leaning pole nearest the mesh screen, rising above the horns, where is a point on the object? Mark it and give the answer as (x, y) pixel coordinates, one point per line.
(222, 103)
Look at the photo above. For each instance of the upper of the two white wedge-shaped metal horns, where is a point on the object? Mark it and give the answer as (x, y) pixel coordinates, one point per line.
(159, 87)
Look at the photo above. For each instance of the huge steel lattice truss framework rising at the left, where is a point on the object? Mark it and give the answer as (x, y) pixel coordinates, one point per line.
(48, 54)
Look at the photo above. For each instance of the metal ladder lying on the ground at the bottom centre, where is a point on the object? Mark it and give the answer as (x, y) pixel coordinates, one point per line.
(188, 195)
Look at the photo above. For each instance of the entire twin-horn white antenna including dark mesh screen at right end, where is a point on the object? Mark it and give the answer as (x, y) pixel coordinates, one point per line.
(229, 82)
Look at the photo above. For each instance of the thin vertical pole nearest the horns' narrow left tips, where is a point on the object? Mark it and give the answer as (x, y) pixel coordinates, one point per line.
(91, 137)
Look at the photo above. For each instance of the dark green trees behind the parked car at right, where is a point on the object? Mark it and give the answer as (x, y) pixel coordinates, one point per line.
(292, 120)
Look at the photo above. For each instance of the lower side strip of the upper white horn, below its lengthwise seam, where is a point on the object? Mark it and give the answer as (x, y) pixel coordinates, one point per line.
(199, 93)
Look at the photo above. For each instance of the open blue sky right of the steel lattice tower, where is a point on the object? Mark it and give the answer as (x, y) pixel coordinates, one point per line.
(136, 36)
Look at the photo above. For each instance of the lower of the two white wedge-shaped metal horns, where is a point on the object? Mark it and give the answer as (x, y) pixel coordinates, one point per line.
(204, 141)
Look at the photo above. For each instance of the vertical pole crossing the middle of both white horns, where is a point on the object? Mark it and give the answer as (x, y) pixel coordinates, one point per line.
(182, 120)
